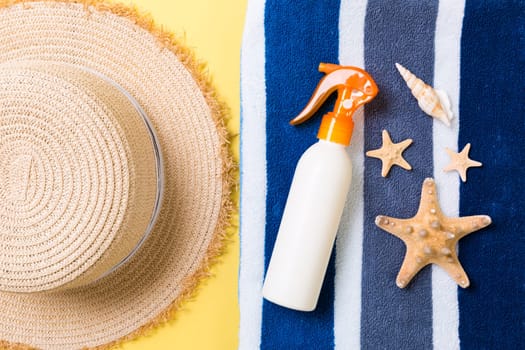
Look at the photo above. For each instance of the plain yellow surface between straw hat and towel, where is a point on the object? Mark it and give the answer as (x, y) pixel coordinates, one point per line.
(213, 29)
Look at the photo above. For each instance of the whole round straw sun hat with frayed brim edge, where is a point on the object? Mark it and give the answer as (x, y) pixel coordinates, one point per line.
(114, 174)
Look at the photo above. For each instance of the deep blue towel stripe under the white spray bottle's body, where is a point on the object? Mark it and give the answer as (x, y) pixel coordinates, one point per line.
(299, 35)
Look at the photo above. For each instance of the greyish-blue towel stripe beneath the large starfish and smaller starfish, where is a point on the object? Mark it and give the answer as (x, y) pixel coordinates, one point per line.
(403, 32)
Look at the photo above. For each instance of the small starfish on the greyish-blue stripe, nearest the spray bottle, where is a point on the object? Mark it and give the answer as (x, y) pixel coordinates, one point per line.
(391, 154)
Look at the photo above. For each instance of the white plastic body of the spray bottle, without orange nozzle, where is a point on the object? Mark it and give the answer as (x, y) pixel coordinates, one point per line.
(309, 226)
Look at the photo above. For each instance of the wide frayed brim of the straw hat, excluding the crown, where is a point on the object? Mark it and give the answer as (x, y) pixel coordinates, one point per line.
(163, 77)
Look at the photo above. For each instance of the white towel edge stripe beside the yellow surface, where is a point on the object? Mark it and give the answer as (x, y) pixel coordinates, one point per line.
(253, 176)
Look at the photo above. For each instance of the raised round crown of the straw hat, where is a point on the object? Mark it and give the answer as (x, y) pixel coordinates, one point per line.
(79, 178)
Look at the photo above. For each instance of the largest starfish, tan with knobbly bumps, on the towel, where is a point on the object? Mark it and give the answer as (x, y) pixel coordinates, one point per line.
(431, 237)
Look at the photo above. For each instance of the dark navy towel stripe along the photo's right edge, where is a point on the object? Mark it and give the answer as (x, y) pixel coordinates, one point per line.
(492, 310)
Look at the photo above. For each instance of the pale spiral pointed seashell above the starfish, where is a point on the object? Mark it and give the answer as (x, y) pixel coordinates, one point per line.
(433, 102)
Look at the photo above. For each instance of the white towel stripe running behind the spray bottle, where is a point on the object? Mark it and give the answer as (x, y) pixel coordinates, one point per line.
(347, 304)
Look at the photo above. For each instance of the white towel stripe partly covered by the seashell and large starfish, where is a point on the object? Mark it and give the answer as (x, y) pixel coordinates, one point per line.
(446, 77)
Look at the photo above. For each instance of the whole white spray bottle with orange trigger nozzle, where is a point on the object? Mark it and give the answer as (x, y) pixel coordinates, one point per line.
(318, 192)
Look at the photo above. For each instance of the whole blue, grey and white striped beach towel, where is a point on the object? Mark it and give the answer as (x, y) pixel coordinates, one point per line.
(472, 49)
